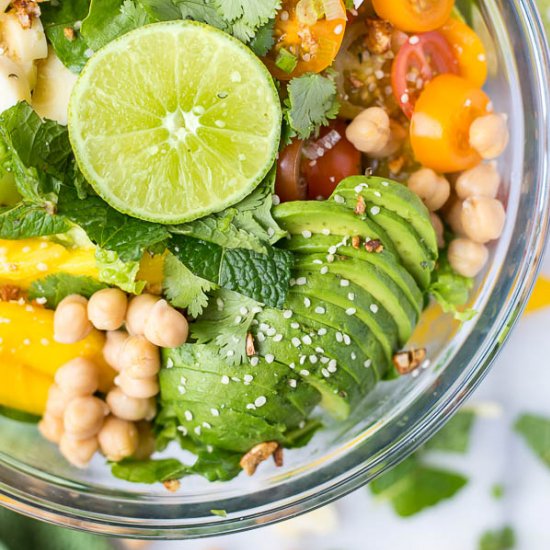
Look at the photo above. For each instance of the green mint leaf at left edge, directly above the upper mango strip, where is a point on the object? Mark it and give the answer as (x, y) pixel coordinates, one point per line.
(30, 220)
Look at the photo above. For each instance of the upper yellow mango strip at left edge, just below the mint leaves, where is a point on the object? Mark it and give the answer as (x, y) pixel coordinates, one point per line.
(23, 261)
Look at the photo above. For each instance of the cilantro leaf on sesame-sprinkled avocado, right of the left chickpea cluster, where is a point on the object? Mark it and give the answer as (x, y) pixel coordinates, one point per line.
(226, 322)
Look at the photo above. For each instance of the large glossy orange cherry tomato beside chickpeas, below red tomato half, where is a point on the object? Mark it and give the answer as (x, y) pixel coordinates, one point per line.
(441, 123)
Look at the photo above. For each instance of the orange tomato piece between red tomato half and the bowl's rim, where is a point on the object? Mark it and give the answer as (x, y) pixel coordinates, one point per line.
(468, 50)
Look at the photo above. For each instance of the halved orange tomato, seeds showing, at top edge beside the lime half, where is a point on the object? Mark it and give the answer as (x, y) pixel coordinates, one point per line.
(306, 42)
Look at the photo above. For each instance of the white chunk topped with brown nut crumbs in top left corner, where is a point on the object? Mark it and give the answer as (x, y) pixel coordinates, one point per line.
(24, 45)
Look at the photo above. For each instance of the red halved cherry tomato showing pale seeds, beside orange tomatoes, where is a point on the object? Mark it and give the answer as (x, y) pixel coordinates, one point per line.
(418, 61)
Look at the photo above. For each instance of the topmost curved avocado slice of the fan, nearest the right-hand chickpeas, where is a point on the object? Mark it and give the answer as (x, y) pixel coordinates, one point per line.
(392, 196)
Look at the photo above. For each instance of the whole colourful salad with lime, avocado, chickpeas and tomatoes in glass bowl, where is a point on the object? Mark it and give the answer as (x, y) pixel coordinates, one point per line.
(220, 222)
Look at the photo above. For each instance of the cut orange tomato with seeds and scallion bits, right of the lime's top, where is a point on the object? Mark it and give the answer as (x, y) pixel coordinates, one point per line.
(314, 43)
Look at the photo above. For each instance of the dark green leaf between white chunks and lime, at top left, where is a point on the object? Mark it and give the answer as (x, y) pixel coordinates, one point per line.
(60, 16)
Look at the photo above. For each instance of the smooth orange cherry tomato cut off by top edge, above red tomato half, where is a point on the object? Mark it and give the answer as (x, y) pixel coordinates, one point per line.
(414, 15)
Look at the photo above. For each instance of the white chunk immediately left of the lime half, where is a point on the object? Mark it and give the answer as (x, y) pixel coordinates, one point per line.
(53, 89)
